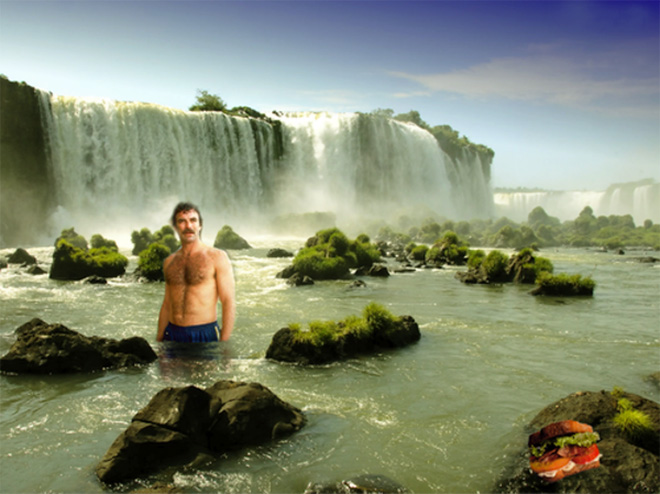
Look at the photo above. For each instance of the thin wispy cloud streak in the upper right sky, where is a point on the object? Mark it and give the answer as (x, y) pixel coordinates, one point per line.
(595, 82)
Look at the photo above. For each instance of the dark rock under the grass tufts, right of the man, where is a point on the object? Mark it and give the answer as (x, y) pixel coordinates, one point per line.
(285, 347)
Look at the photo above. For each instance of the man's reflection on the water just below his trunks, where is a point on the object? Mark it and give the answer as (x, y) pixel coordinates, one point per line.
(191, 362)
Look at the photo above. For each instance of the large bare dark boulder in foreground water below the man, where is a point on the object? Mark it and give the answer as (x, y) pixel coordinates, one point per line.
(181, 425)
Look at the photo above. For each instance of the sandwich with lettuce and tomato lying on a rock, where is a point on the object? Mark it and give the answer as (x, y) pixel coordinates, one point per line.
(562, 449)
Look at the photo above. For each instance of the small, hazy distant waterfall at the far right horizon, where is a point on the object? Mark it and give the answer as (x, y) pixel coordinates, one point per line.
(639, 199)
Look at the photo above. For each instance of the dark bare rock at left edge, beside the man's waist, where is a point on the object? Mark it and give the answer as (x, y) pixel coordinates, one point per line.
(42, 348)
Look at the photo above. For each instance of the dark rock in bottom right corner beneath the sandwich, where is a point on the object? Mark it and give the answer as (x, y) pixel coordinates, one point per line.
(627, 465)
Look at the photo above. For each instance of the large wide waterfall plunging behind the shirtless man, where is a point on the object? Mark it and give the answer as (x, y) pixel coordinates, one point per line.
(125, 165)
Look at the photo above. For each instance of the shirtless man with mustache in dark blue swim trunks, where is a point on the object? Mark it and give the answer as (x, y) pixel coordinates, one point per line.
(196, 277)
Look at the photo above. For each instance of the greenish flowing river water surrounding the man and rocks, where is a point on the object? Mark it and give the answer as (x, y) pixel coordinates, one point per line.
(447, 414)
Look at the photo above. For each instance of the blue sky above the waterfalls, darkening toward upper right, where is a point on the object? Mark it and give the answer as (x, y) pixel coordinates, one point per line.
(567, 93)
